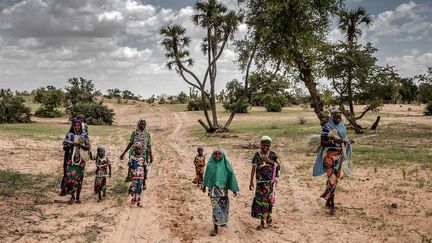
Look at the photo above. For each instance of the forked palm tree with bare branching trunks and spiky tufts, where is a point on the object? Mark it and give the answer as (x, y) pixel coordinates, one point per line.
(220, 25)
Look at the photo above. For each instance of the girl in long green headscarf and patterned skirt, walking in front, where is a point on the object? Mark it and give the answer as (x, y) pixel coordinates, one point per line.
(218, 178)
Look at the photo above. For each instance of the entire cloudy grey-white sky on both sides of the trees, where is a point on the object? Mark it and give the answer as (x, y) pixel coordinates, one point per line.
(115, 43)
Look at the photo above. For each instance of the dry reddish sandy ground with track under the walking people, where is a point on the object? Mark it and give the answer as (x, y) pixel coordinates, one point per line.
(175, 210)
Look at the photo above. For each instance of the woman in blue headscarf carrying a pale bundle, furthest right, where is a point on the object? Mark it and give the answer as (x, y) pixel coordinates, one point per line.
(335, 149)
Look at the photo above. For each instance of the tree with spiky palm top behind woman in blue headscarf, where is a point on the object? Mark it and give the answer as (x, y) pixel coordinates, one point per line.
(354, 73)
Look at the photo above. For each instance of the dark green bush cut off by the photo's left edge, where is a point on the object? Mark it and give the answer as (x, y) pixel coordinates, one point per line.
(12, 108)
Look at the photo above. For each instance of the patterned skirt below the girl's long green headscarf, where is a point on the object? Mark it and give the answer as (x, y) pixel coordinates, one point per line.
(220, 204)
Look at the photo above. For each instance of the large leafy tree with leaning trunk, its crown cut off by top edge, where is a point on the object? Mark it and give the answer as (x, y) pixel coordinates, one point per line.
(292, 33)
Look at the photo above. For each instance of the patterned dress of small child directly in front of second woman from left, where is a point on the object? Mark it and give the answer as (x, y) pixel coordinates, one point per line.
(137, 165)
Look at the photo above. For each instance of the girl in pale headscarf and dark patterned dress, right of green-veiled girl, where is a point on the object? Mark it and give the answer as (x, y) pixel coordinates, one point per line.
(265, 168)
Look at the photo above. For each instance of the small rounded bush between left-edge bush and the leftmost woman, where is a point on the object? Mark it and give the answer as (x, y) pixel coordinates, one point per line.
(51, 99)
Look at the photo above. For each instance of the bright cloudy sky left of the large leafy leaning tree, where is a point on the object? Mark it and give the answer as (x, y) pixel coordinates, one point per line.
(112, 42)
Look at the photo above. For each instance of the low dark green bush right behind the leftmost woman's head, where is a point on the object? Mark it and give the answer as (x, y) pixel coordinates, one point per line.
(94, 113)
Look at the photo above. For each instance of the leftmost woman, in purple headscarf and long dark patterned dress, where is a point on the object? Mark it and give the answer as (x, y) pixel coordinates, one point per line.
(76, 146)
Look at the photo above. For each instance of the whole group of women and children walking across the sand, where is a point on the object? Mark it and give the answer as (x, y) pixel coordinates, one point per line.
(218, 178)
